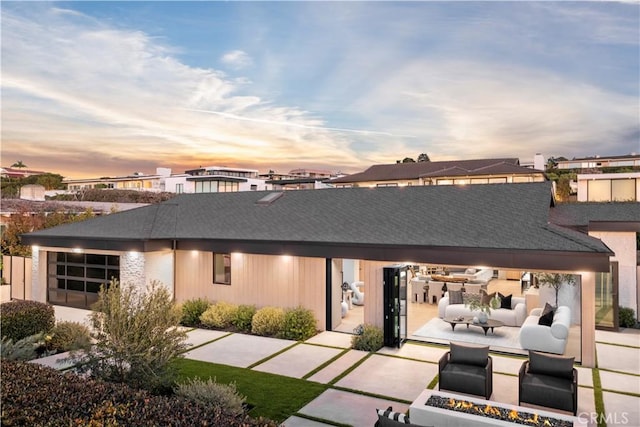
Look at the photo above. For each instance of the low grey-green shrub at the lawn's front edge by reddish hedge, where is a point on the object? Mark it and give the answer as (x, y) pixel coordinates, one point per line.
(222, 396)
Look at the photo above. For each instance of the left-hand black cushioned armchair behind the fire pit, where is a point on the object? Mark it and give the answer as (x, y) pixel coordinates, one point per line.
(466, 369)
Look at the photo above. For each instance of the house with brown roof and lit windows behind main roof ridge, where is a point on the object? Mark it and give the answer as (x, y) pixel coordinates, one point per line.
(461, 172)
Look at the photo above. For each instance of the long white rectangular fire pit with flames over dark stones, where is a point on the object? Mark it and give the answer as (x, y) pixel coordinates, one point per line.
(440, 408)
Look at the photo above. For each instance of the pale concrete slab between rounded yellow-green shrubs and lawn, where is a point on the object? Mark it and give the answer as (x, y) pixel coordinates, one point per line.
(239, 350)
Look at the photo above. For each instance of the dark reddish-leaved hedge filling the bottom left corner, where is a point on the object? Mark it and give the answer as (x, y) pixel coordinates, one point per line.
(33, 394)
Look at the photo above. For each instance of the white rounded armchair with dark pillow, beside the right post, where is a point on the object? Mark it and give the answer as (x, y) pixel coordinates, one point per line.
(550, 339)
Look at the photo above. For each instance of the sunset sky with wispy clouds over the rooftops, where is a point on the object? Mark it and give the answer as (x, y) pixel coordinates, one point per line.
(92, 88)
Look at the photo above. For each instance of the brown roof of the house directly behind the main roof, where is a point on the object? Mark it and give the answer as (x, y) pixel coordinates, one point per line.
(401, 171)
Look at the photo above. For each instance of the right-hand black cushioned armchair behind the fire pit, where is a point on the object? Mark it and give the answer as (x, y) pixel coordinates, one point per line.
(550, 381)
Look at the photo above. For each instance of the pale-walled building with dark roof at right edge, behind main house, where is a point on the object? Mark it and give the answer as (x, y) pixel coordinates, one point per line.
(617, 225)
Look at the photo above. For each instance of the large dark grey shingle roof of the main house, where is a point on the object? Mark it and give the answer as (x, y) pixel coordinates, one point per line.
(477, 224)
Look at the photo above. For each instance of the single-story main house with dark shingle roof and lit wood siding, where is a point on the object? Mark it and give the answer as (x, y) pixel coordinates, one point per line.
(290, 249)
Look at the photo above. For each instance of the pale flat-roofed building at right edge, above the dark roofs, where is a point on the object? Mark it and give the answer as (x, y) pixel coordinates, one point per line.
(609, 187)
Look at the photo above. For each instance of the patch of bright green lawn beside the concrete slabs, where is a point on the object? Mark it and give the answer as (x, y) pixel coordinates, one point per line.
(275, 397)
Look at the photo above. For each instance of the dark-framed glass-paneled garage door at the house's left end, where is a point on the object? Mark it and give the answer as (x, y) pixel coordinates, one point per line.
(75, 278)
